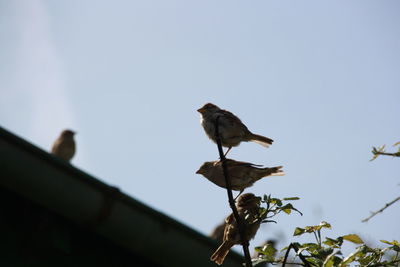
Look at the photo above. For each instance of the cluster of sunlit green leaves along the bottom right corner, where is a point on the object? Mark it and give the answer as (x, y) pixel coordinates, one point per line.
(327, 253)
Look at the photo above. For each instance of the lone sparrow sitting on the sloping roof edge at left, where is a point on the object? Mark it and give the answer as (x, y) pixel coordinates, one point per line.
(64, 146)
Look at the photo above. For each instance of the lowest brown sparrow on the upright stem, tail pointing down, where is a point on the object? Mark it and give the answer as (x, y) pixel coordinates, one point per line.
(248, 209)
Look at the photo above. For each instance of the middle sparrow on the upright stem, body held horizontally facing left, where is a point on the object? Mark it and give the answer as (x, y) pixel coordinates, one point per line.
(241, 174)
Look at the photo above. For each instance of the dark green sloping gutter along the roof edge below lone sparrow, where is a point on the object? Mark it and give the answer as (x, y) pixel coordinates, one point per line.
(84, 200)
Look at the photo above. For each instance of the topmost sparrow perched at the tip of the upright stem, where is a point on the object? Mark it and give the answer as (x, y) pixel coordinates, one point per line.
(231, 129)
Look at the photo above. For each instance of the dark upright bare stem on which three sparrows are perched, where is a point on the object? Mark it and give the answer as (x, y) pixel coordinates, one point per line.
(240, 224)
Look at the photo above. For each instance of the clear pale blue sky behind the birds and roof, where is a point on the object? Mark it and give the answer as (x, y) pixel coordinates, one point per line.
(321, 78)
